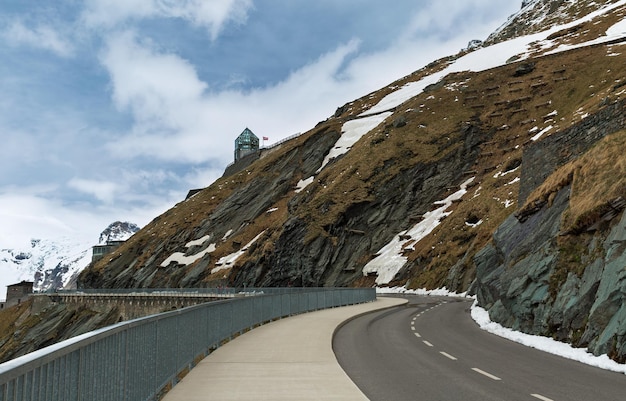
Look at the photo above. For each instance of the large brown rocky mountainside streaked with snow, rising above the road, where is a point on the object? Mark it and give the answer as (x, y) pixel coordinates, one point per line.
(477, 172)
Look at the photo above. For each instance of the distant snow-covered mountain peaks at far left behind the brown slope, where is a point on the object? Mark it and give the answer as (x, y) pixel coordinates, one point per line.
(55, 263)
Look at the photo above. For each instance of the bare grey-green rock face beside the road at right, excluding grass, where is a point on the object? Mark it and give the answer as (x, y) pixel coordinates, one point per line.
(520, 282)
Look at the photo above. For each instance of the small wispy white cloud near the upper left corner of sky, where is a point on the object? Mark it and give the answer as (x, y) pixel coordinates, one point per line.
(41, 37)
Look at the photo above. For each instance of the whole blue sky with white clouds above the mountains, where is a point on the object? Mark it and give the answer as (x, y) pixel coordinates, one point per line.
(113, 109)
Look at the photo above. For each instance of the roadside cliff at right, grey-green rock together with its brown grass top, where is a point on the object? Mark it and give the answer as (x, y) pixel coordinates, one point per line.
(556, 267)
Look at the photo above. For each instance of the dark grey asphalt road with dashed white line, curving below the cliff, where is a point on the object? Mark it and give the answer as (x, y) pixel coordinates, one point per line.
(431, 349)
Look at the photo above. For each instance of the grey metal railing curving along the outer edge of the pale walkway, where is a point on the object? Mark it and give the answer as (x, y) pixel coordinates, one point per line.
(139, 359)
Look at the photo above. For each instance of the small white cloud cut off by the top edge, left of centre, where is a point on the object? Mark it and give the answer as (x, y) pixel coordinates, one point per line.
(209, 14)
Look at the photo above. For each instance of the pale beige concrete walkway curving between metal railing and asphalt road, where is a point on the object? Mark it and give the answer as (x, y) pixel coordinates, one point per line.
(289, 359)
